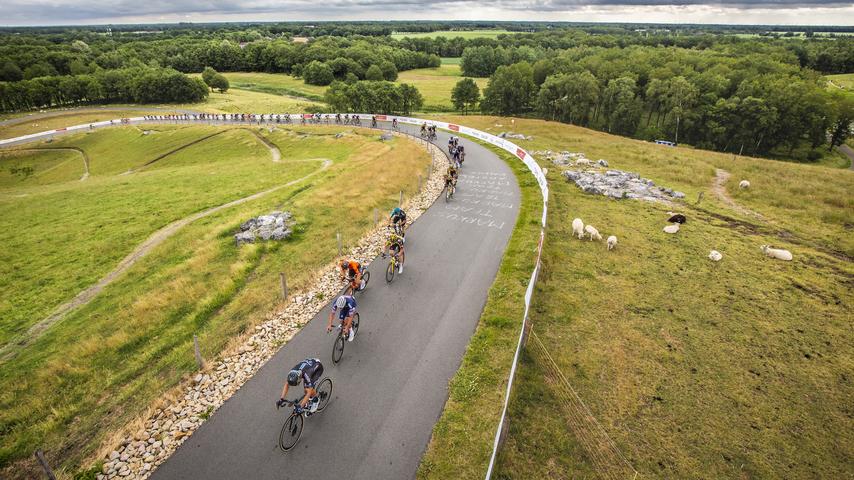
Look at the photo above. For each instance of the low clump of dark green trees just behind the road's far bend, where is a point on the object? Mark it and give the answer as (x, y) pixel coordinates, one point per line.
(373, 97)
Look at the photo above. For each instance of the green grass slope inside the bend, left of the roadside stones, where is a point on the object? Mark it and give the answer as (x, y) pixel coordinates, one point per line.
(107, 361)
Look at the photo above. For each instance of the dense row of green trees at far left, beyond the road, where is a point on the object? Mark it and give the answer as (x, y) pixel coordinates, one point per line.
(135, 85)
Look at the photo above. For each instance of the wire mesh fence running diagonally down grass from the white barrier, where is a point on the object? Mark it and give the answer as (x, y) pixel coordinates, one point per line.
(608, 461)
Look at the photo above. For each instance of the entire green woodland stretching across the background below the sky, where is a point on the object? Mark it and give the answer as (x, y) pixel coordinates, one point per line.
(749, 89)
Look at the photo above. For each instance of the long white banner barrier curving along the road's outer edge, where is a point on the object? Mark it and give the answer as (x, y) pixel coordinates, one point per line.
(502, 143)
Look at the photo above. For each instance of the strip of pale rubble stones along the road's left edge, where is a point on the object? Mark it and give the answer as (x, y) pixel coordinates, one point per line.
(158, 435)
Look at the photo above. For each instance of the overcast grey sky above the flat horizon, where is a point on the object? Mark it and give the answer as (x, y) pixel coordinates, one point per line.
(64, 12)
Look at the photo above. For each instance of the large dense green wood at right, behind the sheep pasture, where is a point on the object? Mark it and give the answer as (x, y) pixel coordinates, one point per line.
(728, 100)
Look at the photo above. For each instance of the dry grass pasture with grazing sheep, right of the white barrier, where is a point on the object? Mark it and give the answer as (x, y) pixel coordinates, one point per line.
(695, 369)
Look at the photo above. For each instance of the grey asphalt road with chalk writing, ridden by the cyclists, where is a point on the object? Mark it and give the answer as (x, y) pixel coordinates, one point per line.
(391, 385)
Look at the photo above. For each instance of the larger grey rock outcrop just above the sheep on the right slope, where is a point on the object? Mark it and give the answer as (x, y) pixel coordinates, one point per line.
(619, 184)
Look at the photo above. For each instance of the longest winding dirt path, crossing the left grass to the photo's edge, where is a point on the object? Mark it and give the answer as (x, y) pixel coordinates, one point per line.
(158, 237)
